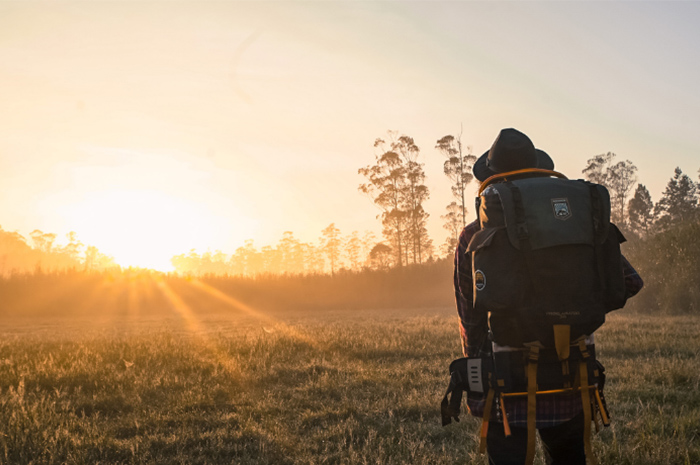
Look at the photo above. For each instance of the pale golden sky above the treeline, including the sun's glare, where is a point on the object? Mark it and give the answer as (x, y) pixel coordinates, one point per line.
(151, 128)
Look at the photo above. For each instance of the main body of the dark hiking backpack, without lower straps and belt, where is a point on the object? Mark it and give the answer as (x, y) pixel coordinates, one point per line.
(546, 255)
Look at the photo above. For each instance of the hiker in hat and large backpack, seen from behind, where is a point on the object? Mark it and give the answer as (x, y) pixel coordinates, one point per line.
(534, 277)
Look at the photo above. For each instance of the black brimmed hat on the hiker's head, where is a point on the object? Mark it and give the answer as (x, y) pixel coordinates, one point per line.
(512, 150)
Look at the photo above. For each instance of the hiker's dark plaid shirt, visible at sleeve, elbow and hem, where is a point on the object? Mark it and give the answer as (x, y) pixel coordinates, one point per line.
(552, 409)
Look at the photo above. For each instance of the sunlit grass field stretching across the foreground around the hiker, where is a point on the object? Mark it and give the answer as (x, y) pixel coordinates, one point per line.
(338, 388)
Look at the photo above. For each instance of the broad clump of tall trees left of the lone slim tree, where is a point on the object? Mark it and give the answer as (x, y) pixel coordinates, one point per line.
(396, 184)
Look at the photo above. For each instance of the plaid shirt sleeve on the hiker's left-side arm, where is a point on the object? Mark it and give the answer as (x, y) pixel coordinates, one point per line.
(473, 326)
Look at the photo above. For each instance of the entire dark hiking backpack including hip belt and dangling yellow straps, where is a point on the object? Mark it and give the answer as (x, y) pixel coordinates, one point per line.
(546, 268)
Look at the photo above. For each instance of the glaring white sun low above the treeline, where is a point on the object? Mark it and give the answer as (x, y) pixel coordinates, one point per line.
(143, 228)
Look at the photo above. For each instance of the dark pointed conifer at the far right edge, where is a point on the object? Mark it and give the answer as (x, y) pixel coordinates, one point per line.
(678, 203)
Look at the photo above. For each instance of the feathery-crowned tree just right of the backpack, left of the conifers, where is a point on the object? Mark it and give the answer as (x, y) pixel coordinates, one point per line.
(619, 178)
